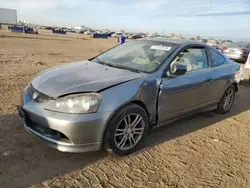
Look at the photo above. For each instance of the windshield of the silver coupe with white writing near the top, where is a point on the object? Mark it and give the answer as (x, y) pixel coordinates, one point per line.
(143, 56)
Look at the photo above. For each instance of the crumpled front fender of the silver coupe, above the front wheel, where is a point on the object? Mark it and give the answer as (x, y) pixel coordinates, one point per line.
(144, 90)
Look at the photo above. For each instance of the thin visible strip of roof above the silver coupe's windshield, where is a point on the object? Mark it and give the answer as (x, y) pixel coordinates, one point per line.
(173, 40)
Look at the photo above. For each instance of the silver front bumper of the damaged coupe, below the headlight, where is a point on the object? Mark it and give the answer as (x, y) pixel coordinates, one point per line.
(65, 132)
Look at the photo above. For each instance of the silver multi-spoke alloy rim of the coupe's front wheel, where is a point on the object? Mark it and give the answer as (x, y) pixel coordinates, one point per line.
(129, 131)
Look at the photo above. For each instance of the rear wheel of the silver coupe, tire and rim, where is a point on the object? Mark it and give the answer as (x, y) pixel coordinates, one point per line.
(226, 101)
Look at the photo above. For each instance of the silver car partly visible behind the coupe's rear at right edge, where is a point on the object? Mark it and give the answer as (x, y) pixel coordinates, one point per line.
(237, 51)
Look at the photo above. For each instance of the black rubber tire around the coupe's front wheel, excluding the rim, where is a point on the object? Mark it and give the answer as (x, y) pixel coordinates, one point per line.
(109, 143)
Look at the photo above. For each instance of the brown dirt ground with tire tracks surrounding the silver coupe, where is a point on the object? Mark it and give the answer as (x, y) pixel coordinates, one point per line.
(207, 150)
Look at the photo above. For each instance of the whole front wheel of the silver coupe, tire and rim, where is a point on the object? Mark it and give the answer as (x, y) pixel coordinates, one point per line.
(126, 130)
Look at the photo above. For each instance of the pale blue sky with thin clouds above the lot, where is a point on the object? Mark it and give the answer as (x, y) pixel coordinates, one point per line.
(217, 18)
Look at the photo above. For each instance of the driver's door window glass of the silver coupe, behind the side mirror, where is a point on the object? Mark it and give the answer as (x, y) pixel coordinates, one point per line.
(194, 58)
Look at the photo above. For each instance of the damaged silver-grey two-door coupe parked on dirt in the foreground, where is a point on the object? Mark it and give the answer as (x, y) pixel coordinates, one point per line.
(111, 100)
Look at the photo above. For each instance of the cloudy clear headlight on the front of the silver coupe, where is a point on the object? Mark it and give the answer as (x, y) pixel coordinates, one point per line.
(77, 103)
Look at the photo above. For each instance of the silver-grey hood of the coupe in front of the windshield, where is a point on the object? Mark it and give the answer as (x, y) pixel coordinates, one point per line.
(83, 76)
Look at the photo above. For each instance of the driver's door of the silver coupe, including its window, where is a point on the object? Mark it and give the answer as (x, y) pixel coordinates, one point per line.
(183, 94)
